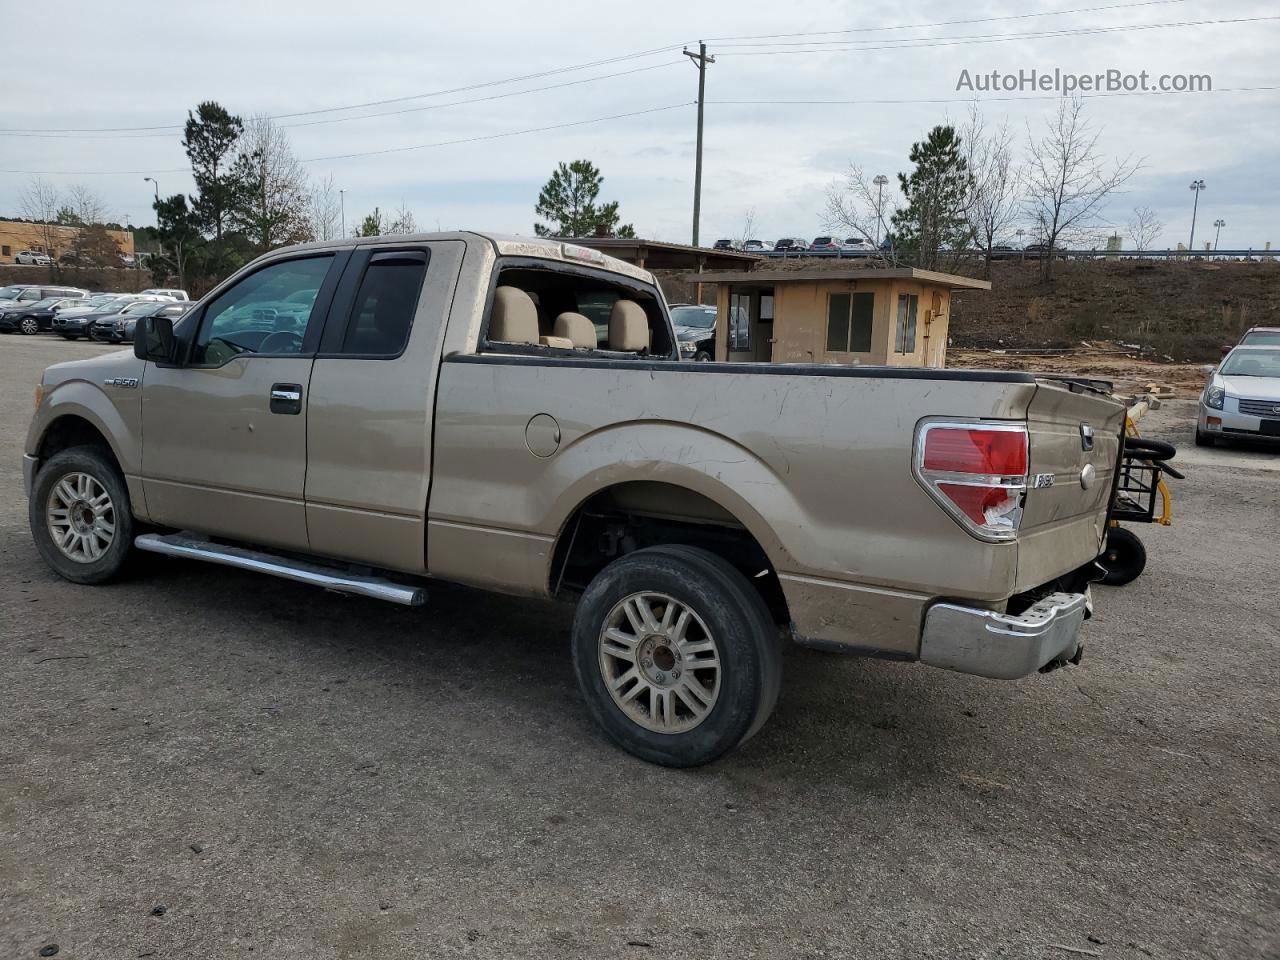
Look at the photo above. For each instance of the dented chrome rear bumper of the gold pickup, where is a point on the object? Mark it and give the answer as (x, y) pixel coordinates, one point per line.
(989, 644)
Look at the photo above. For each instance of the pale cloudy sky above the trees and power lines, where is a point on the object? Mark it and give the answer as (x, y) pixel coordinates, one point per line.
(74, 115)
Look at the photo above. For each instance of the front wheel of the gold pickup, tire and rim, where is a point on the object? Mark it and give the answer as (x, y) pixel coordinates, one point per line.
(80, 516)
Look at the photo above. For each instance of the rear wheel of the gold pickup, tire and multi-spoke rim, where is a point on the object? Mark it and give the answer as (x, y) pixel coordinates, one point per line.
(676, 655)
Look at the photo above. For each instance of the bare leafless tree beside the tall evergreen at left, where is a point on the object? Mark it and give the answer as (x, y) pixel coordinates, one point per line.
(277, 211)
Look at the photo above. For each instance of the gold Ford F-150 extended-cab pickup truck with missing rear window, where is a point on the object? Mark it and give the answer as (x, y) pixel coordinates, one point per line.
(514, 414)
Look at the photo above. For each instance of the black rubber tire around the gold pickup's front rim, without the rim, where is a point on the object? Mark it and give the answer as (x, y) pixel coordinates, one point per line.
(100, 467)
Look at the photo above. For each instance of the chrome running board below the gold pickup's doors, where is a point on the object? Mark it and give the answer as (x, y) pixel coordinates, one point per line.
(330, 578)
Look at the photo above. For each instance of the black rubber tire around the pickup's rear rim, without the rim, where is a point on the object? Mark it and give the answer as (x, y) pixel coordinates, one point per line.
(735, 615)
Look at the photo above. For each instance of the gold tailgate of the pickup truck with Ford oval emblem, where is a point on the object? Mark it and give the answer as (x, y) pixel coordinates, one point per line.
(1075, 449)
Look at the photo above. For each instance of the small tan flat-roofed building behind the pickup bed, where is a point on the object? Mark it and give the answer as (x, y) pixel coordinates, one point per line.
(895, 317)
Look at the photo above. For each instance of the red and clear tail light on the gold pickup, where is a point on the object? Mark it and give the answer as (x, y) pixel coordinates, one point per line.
(977, 473)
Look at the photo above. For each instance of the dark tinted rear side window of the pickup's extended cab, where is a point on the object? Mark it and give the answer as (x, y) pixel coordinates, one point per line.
(386, 303)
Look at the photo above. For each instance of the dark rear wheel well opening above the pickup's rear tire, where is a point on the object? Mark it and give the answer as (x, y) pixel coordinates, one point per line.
(630, 516)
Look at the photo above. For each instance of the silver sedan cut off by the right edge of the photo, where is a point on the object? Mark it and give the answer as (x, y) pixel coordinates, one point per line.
(1242, 397)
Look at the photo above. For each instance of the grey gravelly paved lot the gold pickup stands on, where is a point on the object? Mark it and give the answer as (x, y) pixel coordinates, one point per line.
(203, 764)
